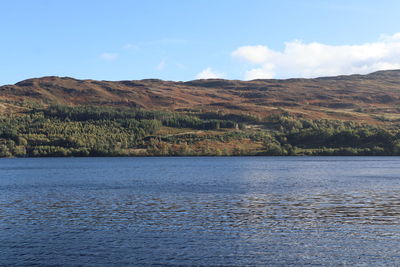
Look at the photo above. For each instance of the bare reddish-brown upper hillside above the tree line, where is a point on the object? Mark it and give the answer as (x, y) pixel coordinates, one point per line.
(372, 98)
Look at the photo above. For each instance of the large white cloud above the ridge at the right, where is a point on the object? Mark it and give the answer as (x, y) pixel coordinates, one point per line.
(308, 60)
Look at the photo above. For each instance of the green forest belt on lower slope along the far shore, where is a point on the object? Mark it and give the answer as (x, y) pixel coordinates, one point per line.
(82, 131)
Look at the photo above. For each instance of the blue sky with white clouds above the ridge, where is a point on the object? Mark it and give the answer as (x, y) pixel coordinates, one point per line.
(183, 40)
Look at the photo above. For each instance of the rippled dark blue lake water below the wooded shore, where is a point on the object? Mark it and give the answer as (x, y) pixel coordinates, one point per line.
(200, 211)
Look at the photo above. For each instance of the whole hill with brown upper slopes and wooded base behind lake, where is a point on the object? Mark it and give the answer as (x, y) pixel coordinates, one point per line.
(343, 115)
